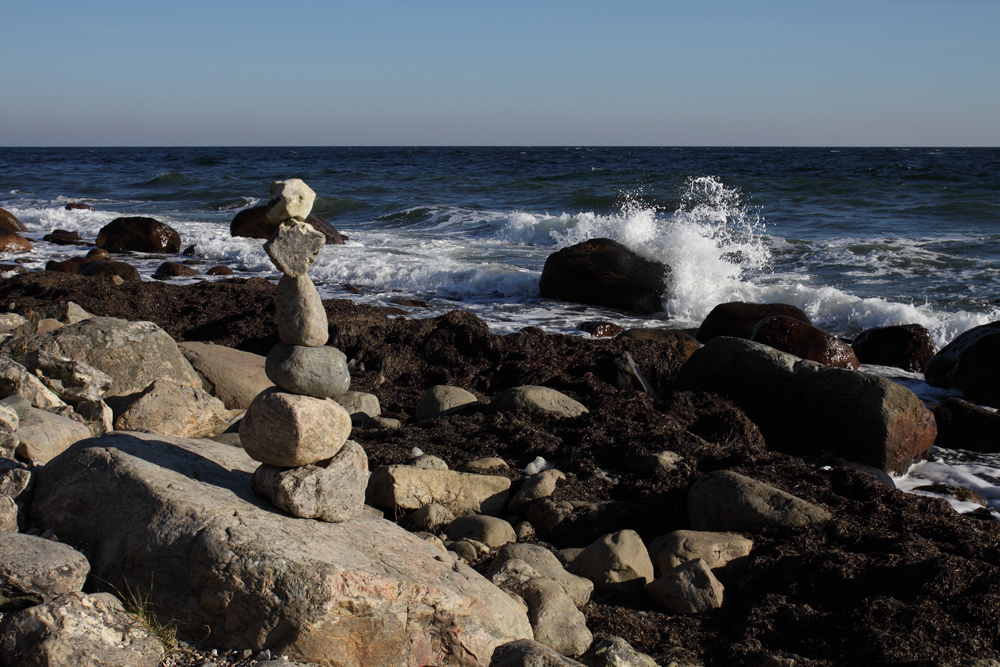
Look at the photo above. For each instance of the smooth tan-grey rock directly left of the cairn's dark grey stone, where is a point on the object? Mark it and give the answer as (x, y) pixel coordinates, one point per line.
(233, 376)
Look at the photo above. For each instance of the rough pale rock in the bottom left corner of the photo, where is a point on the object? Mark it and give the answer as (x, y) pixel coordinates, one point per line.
(79, 630)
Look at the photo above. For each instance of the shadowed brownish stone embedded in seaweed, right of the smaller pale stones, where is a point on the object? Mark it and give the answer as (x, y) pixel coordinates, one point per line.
(726, 501)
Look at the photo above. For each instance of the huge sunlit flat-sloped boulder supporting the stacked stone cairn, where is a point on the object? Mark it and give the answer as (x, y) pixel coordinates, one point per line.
(178, 520)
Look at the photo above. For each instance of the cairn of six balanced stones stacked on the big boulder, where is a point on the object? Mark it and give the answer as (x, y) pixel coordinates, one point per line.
(300, 435)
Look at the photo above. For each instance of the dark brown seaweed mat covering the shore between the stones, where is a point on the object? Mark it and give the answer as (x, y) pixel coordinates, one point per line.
(893, 579)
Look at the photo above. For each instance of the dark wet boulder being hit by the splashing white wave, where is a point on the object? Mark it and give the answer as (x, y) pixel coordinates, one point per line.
(603, 272)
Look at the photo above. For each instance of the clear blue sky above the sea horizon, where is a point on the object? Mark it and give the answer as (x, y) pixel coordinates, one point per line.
(541, 72)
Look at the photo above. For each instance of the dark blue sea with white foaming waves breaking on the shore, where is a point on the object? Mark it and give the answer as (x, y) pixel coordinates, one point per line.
(856, 237)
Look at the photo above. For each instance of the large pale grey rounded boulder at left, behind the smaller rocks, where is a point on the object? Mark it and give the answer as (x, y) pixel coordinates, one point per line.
(132, 353)
